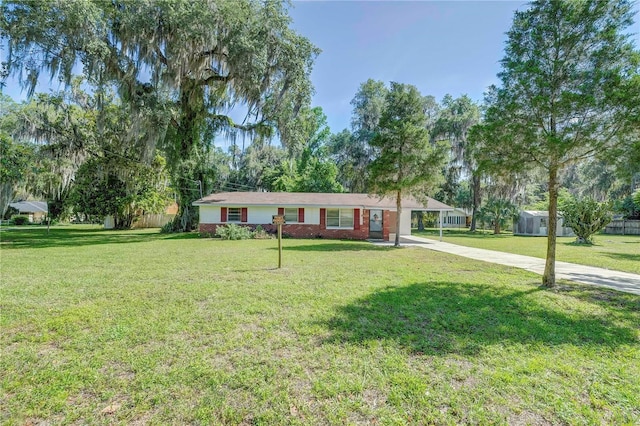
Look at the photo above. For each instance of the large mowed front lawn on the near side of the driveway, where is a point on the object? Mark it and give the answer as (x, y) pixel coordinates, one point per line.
(135, 327)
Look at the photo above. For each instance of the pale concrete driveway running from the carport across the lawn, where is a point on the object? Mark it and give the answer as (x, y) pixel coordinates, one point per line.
(621, 281)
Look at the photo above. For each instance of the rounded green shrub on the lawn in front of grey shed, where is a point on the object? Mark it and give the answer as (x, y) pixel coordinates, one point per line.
(585, 216)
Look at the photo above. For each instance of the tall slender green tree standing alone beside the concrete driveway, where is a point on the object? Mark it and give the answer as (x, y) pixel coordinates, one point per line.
(564, 95)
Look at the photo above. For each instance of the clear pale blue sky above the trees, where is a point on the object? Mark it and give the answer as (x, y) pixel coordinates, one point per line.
(441, 47)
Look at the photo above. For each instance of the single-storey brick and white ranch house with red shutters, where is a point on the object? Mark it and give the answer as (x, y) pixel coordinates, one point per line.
(312, 215)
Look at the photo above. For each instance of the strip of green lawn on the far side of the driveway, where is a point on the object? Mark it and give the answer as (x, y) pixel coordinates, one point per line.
(618, 252)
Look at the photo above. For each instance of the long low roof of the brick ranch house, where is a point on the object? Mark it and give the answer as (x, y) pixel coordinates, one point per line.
(308, 199)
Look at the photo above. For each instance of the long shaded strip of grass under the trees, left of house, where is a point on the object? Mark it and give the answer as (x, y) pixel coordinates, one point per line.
(79, 236)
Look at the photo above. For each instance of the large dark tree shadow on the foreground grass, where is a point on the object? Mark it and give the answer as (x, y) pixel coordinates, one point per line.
(441, 317)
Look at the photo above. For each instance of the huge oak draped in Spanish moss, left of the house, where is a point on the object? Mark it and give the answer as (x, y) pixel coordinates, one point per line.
(183, 66)
